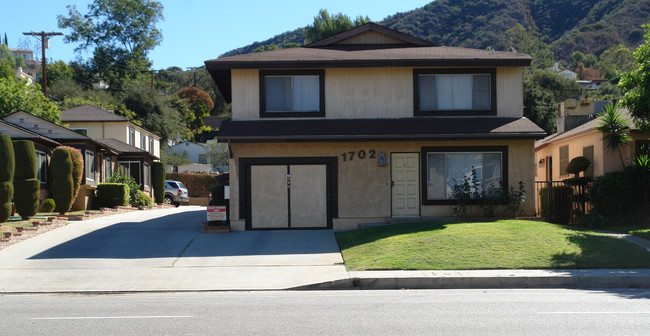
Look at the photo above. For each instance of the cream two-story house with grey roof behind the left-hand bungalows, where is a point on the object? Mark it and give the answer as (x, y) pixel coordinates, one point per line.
(98, 123)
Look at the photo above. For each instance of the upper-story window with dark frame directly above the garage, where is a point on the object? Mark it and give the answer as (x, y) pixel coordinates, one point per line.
(286, 93)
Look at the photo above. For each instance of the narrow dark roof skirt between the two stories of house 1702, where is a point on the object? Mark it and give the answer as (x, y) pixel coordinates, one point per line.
(381, 129)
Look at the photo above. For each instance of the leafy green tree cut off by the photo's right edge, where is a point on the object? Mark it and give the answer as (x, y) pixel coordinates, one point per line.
(636, 85)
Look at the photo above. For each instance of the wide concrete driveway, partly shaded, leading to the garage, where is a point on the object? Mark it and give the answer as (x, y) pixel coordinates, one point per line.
(163, 250)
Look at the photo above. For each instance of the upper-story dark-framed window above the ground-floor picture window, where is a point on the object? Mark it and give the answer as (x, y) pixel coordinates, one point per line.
(454, 92)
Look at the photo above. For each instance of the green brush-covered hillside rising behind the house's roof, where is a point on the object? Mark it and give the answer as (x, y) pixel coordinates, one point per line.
(588, 26)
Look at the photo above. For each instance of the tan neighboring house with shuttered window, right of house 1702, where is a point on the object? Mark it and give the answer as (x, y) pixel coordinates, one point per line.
(554, 152)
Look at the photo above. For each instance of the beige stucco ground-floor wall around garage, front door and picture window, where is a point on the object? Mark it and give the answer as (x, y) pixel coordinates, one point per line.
(364, 188)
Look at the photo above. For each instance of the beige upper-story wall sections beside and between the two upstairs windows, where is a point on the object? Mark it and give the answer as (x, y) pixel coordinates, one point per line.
(370, 93)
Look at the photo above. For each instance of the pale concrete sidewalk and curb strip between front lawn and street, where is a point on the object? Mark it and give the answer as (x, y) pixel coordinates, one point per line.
(489, 279)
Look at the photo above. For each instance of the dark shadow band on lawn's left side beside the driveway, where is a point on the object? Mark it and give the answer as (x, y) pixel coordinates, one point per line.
(349, 239)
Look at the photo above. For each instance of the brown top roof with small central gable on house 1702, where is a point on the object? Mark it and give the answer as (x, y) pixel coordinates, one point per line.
(330, 53)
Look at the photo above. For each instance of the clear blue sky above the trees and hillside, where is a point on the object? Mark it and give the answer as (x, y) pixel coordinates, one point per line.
(195, 31)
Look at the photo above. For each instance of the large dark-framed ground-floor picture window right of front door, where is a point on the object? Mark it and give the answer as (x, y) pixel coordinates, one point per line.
(446, 167)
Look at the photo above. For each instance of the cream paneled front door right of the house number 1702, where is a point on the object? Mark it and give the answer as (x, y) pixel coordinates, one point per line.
(405, 183)
